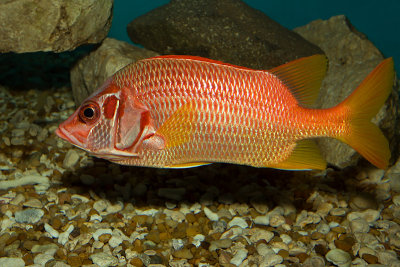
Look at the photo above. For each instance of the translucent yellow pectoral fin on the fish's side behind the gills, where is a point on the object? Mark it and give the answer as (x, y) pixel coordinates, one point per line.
(178, 128)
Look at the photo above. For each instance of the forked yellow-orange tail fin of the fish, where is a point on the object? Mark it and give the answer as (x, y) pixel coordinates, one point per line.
(363, 104)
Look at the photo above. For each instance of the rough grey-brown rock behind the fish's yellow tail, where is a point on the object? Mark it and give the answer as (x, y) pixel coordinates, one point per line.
(351, 58)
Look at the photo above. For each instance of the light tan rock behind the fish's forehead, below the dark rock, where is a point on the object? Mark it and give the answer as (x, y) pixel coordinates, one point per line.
(94, 69)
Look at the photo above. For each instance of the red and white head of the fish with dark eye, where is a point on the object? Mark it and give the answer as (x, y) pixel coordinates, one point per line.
(109, 124)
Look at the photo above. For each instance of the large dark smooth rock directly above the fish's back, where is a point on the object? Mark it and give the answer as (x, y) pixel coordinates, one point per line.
(227, 30)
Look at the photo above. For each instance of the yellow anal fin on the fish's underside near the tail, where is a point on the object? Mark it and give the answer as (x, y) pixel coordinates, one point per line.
(305, 156)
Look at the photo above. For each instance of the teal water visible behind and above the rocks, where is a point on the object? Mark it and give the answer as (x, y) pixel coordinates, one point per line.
(379, 20)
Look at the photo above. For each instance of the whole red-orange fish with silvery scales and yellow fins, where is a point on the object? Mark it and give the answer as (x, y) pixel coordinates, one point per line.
(185, 111)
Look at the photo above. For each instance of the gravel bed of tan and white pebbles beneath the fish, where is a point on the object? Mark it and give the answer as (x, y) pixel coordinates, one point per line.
(61, 207)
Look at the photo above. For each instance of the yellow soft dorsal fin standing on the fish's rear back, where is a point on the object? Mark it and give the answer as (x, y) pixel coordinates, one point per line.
(303, 77)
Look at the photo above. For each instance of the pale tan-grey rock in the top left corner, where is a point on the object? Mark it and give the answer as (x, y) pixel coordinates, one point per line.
(48, 25)
